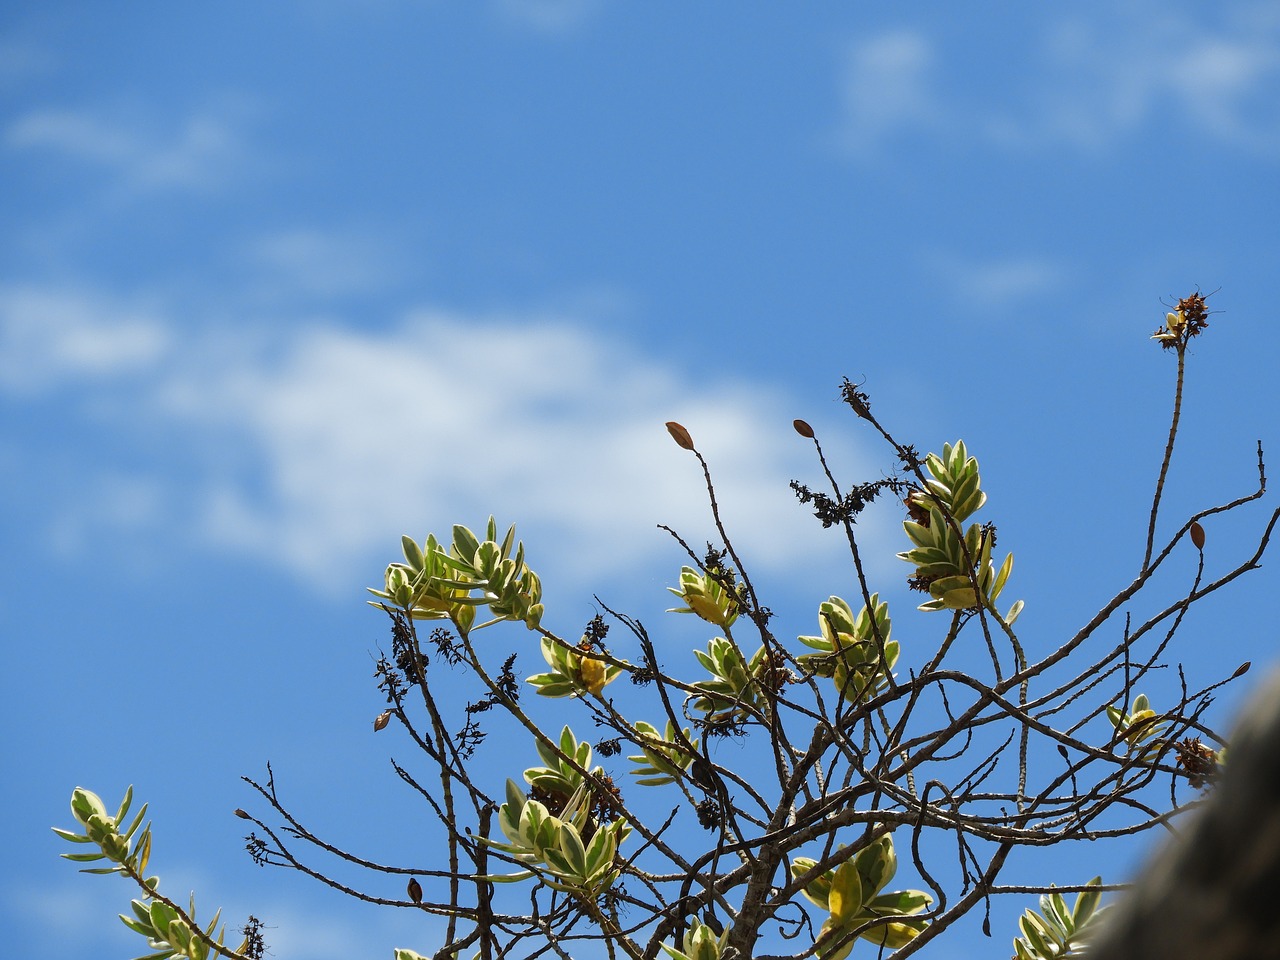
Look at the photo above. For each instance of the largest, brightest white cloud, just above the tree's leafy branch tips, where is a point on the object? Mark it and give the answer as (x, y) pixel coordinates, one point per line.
(452, 418)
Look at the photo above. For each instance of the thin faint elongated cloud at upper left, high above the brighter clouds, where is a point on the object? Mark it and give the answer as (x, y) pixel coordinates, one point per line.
(200, 153)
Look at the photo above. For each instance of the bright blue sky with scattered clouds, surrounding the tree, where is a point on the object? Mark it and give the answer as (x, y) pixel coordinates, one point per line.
(280, 284)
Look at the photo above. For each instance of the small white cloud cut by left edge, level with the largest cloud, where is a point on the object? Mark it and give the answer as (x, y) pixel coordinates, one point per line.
(52, 339)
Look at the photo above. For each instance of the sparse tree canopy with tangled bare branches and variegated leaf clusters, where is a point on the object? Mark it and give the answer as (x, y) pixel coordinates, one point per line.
(883, 789)
